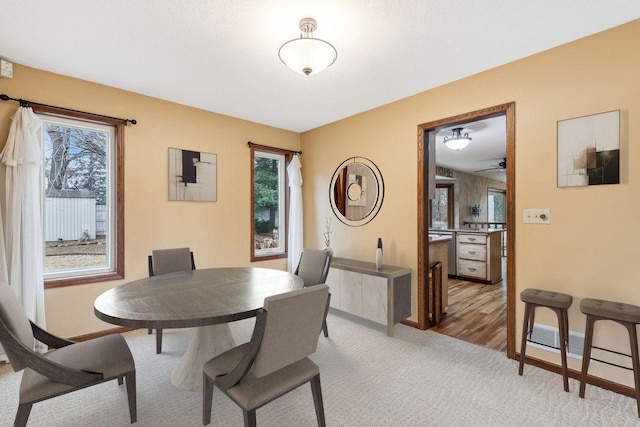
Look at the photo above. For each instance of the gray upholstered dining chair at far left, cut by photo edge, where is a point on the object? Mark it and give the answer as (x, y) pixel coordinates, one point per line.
(68, 367)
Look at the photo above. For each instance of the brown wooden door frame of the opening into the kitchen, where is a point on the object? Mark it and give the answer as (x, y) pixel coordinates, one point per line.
(508, 110)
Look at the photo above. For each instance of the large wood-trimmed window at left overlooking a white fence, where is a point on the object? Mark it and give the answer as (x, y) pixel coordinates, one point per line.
(83, 194)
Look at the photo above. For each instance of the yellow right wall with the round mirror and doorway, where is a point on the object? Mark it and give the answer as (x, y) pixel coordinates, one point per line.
(588, 249)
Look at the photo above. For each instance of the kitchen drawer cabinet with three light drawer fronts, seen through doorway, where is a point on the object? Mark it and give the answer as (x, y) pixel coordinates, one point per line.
(479, 256)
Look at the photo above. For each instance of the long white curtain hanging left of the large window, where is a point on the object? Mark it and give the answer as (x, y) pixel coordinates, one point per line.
(21, 206)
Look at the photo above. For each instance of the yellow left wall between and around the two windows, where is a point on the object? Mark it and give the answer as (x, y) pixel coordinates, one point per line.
(218, 233)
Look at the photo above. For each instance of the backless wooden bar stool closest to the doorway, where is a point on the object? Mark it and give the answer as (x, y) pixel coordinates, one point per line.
(557, 302)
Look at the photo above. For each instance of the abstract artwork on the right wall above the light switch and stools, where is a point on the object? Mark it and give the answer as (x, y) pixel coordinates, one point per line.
(589, 150)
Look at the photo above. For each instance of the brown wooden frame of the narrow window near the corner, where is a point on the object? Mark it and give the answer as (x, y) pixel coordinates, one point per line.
(287, 159)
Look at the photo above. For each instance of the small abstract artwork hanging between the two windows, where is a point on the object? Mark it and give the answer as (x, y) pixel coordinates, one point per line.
(192, 175)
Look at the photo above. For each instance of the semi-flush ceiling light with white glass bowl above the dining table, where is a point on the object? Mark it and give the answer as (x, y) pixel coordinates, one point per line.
(307, 55)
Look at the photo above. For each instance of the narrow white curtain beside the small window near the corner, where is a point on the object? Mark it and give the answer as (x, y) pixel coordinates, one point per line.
(295, 213)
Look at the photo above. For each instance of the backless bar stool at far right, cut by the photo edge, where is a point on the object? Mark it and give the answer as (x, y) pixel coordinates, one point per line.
(625, 314)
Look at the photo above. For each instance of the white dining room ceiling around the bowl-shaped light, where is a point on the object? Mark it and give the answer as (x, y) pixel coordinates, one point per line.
(222, 55)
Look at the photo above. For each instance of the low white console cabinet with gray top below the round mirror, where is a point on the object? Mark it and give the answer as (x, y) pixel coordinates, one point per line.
(382, 296)
